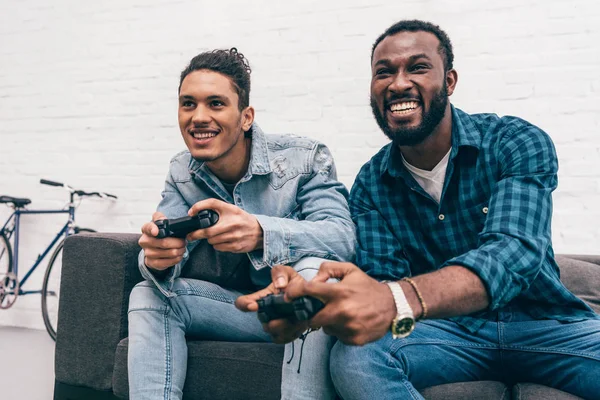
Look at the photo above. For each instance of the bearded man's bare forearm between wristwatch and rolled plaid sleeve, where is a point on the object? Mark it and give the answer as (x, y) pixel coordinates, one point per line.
(448, 292)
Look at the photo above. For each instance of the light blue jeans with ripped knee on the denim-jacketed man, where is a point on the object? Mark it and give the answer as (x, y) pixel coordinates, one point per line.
(157, 357)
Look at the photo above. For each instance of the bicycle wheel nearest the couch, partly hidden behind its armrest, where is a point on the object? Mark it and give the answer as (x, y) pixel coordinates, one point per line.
(51, 287)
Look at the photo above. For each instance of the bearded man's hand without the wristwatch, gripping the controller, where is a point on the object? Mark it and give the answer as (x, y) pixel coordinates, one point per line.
(281, 330)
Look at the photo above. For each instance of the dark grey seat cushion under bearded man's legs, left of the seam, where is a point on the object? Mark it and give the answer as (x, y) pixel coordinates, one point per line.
(481, 390)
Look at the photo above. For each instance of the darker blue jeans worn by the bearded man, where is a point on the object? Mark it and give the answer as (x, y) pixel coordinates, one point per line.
(514, 349)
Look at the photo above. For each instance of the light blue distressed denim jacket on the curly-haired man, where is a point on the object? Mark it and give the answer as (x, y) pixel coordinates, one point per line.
(290, 187)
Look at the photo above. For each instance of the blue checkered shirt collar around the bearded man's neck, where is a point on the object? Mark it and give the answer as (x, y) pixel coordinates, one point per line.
(464, 133)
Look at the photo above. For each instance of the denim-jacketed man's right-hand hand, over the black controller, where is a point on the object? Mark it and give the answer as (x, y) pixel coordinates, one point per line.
(236, 232)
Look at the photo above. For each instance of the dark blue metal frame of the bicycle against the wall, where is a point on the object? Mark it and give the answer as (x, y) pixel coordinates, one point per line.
(16, 215)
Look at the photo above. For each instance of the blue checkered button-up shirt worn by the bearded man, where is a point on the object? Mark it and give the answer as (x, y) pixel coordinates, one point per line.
(494, 218)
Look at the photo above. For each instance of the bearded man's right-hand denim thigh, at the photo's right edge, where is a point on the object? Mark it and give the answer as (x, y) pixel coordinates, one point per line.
(561, 355)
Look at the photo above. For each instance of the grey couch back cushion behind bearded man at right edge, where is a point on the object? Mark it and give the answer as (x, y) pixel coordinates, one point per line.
(582, 278)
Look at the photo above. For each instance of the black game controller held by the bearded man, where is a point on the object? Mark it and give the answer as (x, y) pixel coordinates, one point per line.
(274, 306)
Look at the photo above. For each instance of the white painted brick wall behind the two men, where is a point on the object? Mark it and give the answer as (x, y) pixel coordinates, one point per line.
(88, 93)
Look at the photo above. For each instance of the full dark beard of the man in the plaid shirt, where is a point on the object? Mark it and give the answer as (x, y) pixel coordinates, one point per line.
(412, 136)
